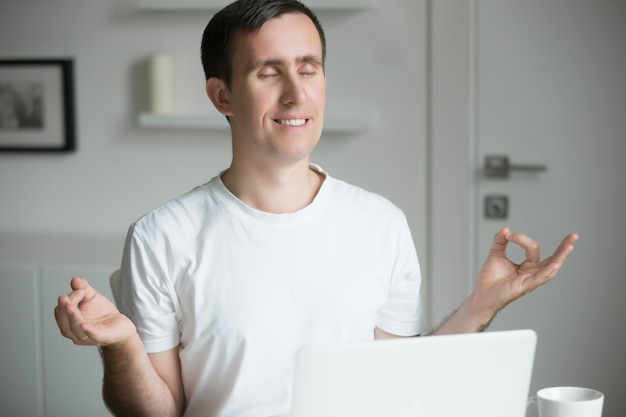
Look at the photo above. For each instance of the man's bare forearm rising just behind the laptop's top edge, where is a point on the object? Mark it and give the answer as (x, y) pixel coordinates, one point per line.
(469, 318)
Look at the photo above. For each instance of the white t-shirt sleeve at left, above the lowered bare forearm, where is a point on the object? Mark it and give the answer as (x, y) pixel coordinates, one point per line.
(146, 295)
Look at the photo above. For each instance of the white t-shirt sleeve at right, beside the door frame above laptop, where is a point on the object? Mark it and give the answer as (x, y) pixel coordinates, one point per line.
(401, 314)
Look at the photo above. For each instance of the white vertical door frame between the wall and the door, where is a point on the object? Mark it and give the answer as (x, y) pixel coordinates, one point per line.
(453, 166)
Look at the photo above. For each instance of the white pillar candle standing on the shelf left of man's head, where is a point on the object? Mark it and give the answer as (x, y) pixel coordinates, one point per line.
(160, 82)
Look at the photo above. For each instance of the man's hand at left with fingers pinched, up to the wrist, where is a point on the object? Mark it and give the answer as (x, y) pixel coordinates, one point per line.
(88, 318)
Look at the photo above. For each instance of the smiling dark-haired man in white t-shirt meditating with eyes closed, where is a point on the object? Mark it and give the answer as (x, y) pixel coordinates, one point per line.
(226, 282)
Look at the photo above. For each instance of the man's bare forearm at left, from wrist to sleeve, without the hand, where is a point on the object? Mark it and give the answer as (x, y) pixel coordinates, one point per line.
(132, 387)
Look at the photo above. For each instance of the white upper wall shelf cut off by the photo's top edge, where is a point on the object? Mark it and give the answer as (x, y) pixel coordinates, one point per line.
(215, 5)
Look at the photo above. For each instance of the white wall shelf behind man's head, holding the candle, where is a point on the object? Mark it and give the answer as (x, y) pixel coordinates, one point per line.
(353, 118)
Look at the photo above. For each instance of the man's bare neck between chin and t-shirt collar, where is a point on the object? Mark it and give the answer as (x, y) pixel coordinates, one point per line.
(276, 190)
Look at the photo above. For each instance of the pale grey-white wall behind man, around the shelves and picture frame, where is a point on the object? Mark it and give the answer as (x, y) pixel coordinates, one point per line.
(120, 170)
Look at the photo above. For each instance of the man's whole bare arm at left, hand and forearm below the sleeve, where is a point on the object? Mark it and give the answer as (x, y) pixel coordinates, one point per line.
(134, 383)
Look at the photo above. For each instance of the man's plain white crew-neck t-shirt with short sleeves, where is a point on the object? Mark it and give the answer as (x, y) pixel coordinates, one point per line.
(242, 290)
